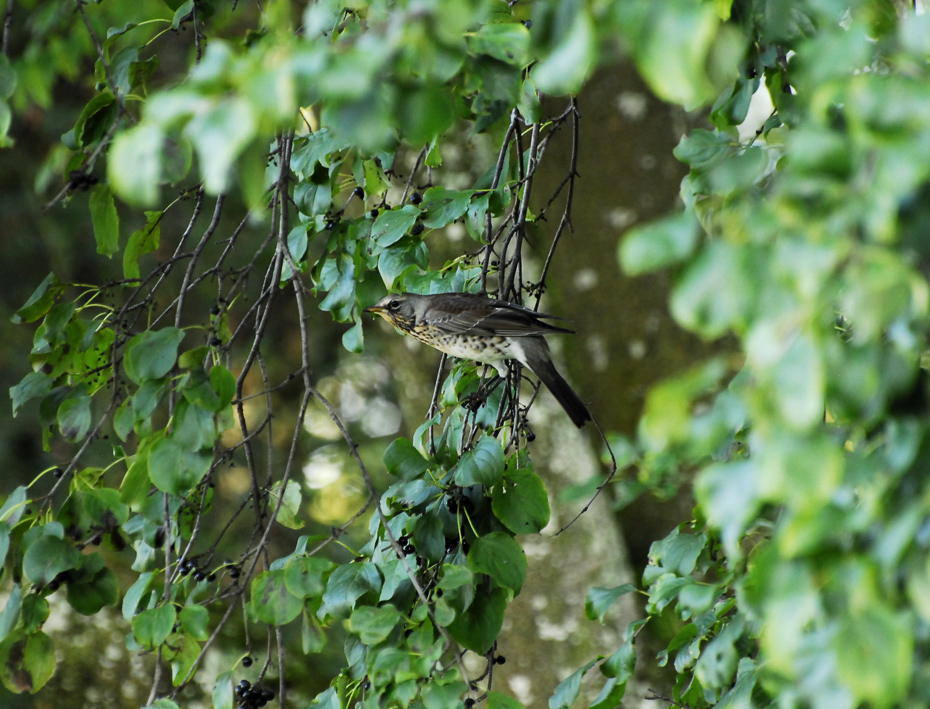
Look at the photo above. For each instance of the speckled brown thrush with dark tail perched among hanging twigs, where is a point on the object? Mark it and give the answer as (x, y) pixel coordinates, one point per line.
(487, 330)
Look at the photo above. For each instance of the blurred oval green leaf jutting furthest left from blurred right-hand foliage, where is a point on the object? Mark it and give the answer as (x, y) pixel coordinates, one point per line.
(660, 244)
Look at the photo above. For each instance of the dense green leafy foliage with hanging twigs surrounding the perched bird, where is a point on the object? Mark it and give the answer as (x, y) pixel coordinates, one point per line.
(803, 579)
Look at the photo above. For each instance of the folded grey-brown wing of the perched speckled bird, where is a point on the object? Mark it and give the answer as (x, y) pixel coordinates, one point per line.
(484, 316)
